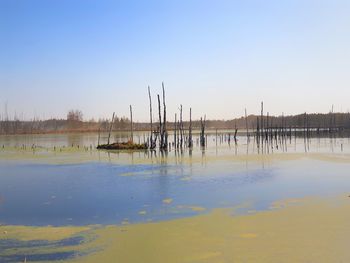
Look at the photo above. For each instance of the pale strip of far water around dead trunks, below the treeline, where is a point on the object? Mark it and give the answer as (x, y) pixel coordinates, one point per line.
(214, 141)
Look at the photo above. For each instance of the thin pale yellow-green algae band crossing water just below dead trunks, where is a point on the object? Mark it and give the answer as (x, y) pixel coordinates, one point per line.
(69, 155)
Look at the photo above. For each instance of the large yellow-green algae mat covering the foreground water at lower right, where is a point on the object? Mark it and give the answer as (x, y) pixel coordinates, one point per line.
(314, 230)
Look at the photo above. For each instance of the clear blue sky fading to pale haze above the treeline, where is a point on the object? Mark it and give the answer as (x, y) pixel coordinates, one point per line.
(216, 56)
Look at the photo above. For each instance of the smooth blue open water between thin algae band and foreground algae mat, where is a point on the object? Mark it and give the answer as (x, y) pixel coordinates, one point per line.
(107, 193)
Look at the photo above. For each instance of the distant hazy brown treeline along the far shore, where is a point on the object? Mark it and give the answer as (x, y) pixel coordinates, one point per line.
(76, 124)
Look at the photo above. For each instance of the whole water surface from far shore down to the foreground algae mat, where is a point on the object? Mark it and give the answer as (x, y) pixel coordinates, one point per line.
(76, 185)
